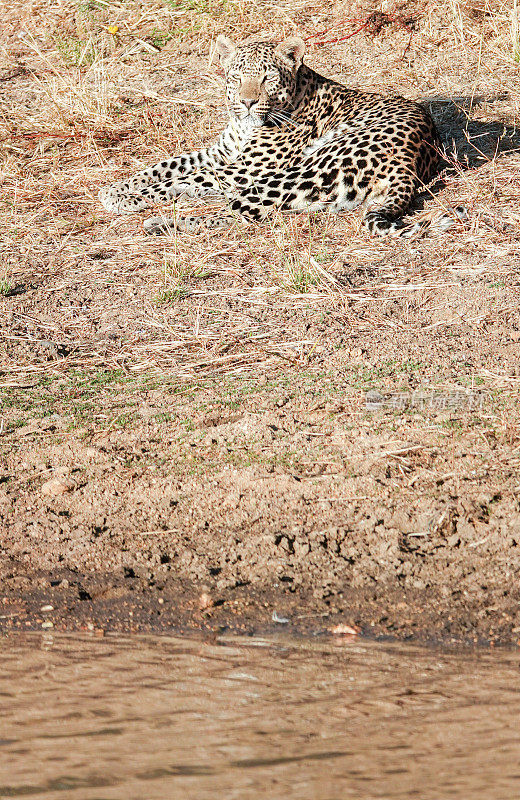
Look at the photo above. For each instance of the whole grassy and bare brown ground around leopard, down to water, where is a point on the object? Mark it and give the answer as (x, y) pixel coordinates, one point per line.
(294, 419)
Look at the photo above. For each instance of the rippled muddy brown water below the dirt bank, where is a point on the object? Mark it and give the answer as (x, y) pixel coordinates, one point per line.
(145, 718)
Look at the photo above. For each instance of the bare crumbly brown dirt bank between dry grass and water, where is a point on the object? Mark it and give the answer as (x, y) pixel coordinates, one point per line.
(279, 498)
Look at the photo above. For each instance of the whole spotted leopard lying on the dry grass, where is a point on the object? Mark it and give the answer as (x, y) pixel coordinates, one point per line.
(295, 141)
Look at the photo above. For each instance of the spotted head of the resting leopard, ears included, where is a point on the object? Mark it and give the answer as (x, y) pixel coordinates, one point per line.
(261, 77)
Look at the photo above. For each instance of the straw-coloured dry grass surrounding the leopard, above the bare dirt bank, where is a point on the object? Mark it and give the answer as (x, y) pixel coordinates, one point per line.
(95, 90)
